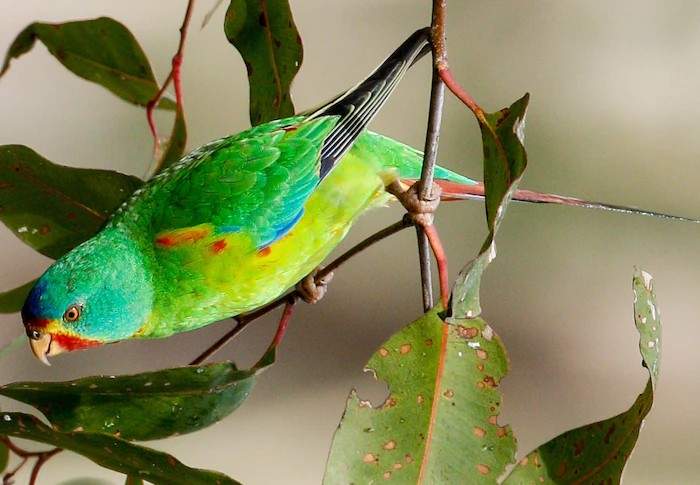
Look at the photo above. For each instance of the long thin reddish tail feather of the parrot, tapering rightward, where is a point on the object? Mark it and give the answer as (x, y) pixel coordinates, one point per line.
(455, 191)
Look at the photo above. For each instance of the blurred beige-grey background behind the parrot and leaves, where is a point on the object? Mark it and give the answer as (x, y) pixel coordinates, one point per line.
(613, 116)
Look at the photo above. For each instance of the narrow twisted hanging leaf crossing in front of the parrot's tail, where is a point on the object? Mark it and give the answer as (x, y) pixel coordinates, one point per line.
(505, 161)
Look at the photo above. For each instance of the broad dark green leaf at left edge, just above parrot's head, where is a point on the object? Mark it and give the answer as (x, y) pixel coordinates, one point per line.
(53, 208)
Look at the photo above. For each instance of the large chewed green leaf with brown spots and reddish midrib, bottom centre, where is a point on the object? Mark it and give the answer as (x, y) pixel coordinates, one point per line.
(439, 422)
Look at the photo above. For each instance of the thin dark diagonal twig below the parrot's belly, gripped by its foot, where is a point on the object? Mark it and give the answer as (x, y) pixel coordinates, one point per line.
(242, 321)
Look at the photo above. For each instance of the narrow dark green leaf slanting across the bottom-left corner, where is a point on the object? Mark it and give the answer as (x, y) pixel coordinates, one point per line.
(111, 452)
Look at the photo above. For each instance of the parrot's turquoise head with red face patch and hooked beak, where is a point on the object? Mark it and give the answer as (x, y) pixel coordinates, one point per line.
(100, 292)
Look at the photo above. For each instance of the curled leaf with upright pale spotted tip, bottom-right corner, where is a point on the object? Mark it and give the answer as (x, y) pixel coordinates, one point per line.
(598, 452)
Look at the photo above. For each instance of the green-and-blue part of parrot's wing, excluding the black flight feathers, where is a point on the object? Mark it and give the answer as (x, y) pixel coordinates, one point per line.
(256, 182)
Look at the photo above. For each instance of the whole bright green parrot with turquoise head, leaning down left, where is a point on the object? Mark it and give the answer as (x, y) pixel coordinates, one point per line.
(235, 224)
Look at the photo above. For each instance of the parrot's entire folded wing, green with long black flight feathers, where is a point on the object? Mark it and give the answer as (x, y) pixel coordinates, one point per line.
(257, 182)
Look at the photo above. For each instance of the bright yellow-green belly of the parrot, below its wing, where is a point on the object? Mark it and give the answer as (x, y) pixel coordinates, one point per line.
(241, 277)
